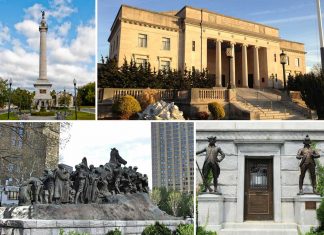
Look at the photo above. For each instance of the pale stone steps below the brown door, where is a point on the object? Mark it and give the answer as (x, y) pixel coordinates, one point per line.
(259, 228)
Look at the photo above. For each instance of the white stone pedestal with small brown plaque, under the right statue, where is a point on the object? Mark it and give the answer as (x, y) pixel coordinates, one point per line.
(305, 215)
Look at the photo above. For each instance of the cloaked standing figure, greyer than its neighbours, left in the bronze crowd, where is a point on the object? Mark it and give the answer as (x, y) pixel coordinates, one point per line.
(61, 193)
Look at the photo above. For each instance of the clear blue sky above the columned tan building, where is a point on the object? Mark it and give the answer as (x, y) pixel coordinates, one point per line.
(296, 19)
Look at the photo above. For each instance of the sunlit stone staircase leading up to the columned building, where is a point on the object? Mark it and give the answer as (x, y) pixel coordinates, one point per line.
(266, 105)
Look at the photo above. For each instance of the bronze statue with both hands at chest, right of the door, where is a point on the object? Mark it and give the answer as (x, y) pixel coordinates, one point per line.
(307, 155)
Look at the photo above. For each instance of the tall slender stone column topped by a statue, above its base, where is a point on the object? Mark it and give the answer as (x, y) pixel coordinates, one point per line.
(42, 50)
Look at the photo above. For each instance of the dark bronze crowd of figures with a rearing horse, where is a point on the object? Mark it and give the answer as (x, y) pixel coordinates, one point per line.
(87, 184)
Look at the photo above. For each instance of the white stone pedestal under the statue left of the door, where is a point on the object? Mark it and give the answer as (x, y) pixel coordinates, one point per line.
(211, 211)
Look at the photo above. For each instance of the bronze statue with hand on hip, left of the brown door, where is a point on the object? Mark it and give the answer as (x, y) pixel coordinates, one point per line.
(211, 162)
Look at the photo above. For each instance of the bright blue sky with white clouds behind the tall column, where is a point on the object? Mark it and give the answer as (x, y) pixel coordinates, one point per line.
(70, 41)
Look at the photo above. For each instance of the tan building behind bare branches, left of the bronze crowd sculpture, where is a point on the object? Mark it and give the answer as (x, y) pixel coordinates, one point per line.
(26, 149)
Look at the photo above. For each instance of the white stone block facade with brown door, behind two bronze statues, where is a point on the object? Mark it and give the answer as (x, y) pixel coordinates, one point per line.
(259, 178)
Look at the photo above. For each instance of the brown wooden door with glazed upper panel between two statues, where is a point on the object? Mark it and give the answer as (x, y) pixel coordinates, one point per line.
(258, 189)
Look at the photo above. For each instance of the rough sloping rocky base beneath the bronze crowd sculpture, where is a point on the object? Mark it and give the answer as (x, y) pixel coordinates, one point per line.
(136, 206)
